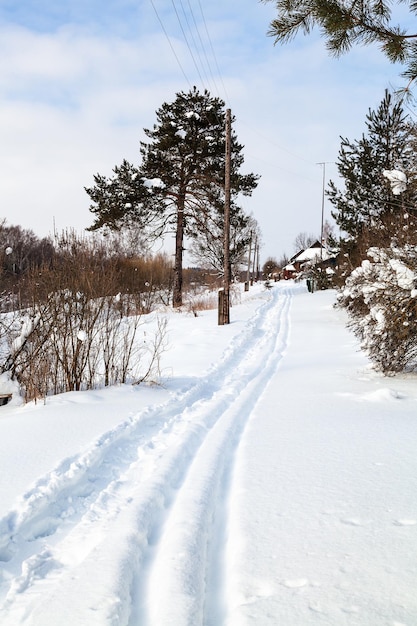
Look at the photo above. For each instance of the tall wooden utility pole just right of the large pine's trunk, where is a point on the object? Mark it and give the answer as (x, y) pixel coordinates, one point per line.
(224, 294)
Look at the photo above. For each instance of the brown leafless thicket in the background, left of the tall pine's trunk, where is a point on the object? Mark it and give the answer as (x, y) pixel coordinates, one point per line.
(91, 259)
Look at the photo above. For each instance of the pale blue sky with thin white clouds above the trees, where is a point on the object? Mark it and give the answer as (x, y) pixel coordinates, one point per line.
(81, 79)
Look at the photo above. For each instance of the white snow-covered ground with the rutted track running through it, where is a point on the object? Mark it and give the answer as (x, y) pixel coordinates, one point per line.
(271, 480)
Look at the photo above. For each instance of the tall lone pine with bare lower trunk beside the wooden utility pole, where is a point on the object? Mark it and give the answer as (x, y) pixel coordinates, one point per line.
(179, 185)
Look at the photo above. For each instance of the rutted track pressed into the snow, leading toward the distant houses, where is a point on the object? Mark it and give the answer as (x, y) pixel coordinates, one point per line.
(167, 469)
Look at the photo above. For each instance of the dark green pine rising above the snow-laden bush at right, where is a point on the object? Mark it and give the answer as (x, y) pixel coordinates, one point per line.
(366, 209)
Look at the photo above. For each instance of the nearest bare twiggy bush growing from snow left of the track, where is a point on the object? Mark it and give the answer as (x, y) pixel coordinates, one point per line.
(73, 343)
